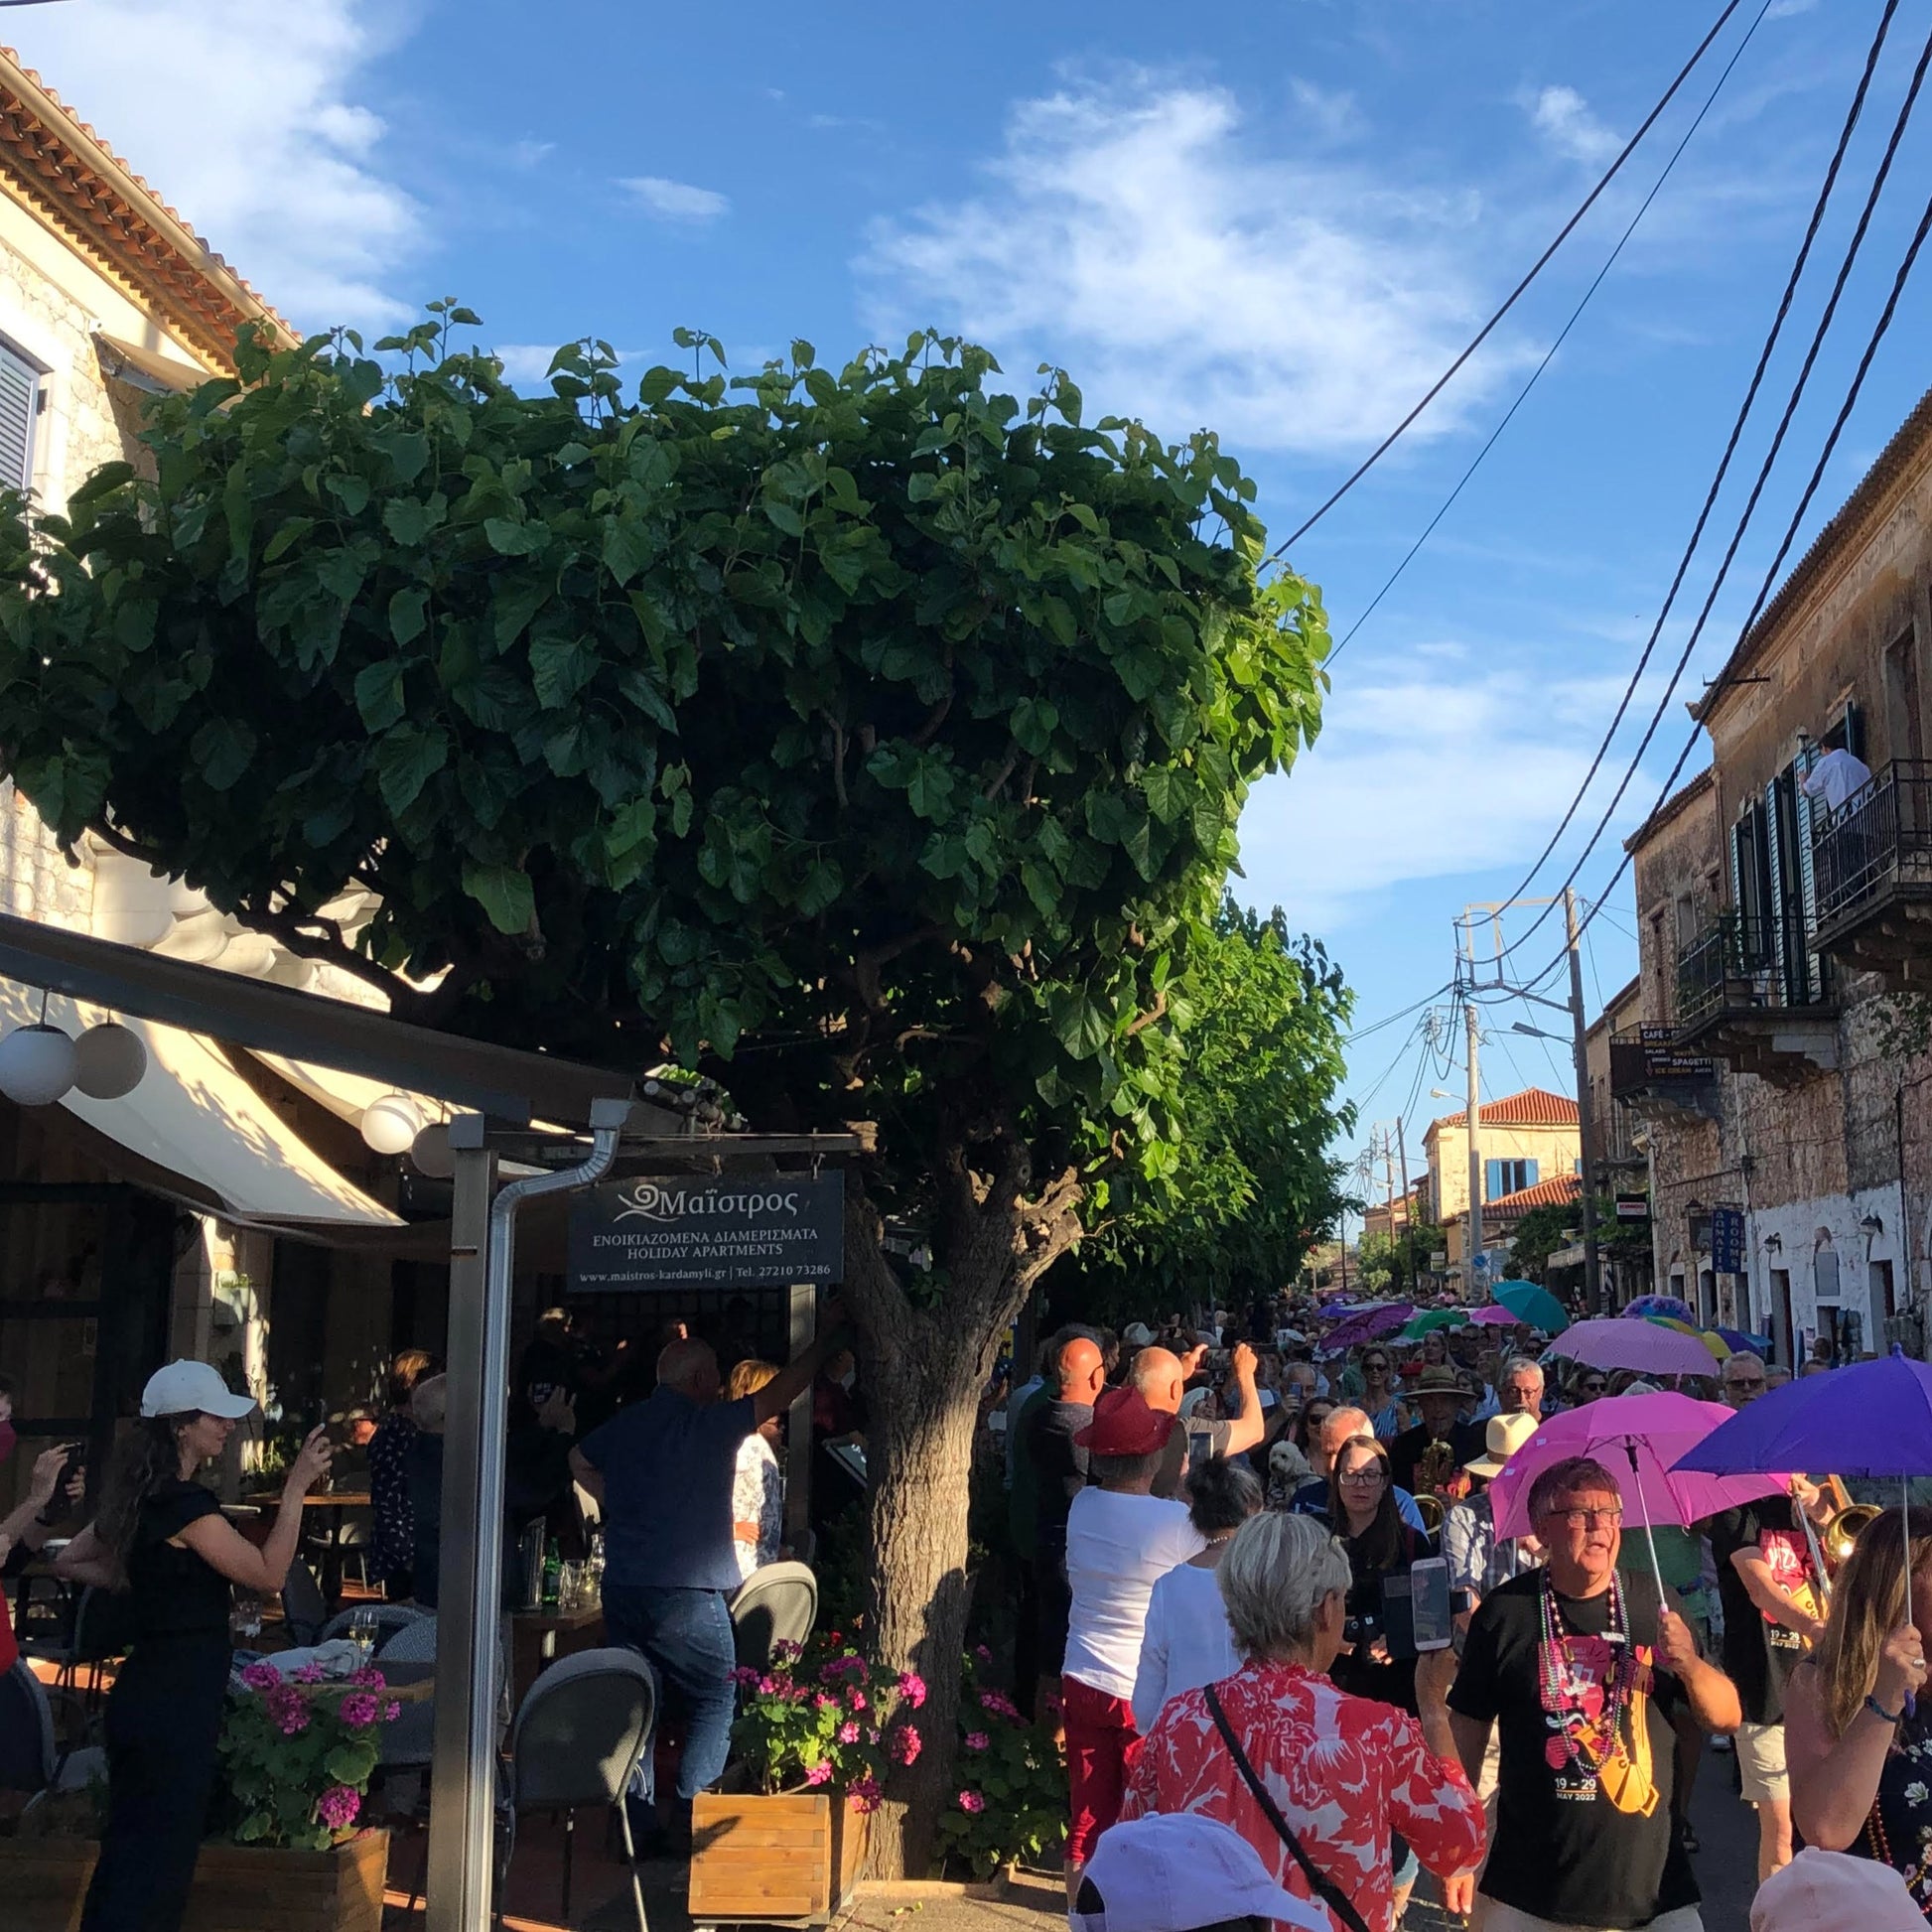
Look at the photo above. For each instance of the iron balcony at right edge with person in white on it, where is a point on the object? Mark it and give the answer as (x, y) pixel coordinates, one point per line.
(1873, 867)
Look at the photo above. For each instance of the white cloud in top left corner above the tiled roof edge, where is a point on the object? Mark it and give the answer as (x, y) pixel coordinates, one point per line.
(244, 121)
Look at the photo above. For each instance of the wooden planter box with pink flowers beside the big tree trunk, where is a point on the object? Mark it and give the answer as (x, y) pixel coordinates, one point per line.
(795, 1856)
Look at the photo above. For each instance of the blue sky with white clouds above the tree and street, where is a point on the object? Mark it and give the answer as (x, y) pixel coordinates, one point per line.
(1278, 221)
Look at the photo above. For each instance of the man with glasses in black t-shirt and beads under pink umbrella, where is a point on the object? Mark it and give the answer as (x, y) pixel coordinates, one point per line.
(1579, 1670)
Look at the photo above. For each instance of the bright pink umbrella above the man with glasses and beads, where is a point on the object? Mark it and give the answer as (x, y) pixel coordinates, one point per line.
(1637, 1438)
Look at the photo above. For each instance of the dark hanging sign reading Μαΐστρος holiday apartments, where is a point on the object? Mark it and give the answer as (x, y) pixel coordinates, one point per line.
(708, 1232)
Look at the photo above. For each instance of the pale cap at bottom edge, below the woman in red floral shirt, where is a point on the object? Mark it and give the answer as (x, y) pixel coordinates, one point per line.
(1178, 1871)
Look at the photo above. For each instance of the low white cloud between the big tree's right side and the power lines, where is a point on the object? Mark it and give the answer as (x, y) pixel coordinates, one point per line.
(1425, 778)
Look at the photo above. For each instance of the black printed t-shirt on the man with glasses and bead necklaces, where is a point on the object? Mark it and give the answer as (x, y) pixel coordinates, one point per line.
(1576, 1844)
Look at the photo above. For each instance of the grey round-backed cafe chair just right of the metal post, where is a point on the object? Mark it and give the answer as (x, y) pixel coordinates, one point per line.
(579, 1738)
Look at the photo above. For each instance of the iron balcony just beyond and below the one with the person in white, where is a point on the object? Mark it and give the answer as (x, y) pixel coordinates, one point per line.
(1755, 996)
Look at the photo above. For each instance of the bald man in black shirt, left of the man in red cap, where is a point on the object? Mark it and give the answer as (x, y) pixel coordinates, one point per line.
(1056, 1463)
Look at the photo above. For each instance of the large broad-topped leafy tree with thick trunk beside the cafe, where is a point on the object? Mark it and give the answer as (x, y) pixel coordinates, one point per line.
(868, 739)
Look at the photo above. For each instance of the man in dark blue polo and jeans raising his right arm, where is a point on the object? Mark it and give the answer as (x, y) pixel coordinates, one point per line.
(664, 1473)
